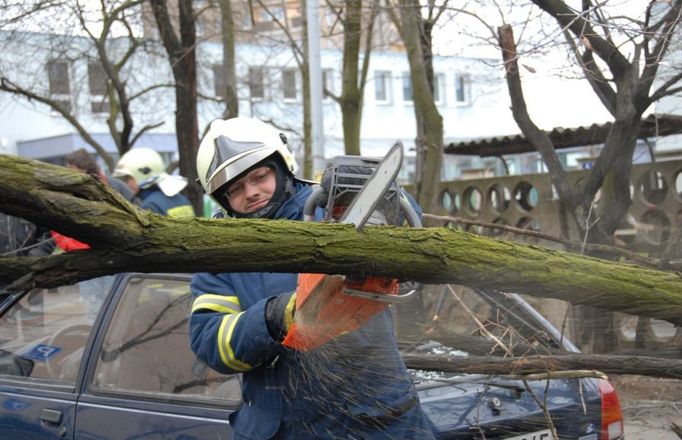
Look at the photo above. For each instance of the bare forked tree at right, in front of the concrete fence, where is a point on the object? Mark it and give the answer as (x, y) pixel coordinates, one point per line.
(620, 57)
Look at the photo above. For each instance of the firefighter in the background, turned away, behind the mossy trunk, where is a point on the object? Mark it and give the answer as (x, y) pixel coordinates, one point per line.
(144, 172)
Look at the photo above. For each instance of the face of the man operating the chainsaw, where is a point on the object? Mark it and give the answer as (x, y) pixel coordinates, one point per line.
(253, 191)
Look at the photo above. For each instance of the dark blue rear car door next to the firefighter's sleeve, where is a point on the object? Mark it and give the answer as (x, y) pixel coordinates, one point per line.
(143, 381)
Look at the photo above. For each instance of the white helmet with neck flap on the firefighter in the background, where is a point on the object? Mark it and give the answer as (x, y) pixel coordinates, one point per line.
(147, 168)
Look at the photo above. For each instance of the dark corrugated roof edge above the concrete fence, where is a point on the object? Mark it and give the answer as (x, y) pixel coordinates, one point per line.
(653, 125)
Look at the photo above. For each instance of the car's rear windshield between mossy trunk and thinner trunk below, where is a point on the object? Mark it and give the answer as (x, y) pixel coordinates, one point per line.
(460, 321)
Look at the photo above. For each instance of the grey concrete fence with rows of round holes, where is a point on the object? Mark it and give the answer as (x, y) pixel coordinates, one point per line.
(653, 226)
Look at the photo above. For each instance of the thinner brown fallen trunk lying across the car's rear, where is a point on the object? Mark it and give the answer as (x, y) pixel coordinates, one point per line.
(609, 364)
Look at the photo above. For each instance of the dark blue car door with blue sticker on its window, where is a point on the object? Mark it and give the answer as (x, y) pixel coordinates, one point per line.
(43, 336)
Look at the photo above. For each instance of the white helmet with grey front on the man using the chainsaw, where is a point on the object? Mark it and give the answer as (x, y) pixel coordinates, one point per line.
(232, 146)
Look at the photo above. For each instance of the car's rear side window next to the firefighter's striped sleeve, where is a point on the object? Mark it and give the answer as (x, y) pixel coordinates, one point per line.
(146, 347)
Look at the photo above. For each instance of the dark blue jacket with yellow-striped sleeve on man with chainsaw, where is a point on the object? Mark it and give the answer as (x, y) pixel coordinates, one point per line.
(355, 386)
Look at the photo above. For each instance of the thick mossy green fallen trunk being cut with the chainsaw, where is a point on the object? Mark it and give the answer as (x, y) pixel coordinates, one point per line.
(125, 238)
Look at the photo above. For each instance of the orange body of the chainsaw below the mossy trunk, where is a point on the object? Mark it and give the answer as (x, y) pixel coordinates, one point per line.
(324, 310)
